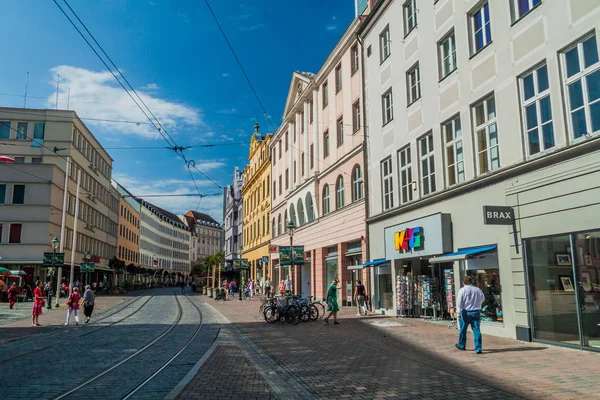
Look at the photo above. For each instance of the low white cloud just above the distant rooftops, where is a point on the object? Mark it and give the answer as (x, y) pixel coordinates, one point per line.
(212, 205)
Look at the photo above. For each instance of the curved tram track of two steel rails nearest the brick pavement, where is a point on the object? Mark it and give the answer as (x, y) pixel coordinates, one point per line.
(156, 371)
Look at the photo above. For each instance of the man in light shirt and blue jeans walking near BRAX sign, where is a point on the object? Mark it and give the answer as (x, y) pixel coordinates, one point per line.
(468, 309)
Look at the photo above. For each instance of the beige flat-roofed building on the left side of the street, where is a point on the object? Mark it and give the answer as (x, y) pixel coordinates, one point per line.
(41, 142)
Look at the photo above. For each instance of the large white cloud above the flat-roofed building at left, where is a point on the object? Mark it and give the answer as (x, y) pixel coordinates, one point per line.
(97, 95)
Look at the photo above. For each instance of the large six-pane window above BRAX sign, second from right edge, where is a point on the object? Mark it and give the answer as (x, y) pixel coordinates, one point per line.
(537, 110)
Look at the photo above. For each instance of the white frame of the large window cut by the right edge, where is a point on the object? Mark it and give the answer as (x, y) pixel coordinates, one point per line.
(580, 76)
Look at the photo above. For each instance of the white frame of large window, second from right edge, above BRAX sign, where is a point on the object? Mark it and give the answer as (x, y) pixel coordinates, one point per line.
(536, 100)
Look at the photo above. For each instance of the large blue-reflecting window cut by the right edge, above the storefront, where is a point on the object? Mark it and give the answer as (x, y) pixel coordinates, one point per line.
(582, 79)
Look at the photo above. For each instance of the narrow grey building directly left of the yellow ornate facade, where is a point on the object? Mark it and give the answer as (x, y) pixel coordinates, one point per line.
(233, 218)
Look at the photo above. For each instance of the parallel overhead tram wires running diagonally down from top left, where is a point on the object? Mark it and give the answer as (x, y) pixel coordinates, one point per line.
(160, 128)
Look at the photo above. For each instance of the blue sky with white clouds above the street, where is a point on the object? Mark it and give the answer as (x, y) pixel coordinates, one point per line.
(174, 55)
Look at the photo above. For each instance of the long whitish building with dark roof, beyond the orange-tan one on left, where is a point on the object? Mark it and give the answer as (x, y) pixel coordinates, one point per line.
(164, 240)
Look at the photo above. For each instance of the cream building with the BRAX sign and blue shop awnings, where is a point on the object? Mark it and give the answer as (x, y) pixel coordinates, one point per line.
(483, 122)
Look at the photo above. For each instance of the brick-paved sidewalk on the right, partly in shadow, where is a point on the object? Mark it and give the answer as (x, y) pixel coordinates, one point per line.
(383, 357)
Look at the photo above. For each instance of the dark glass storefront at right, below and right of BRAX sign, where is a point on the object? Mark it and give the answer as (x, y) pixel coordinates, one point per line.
(564, 288)
